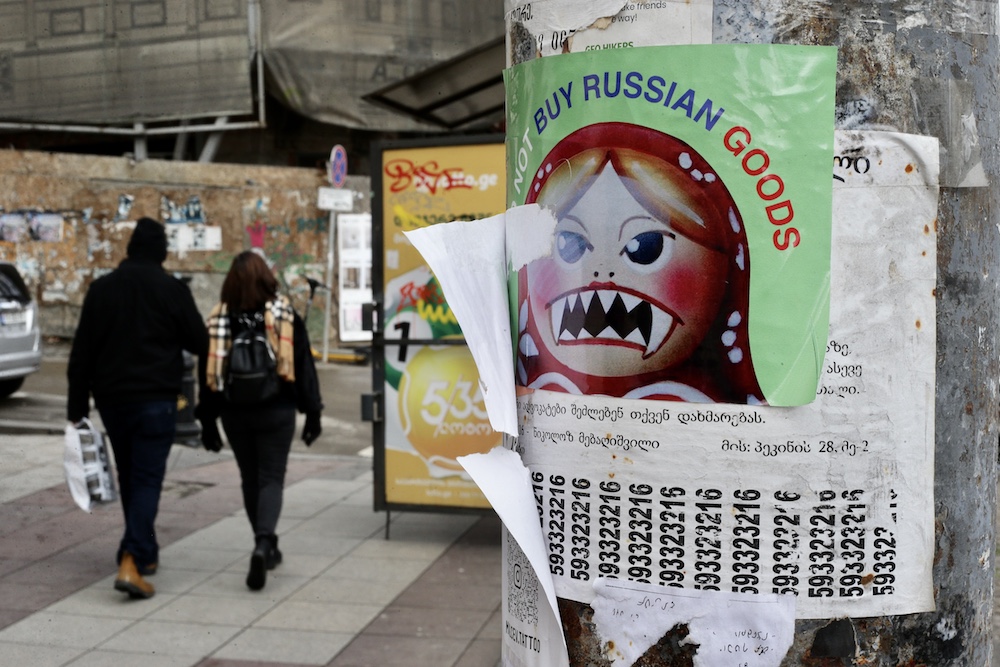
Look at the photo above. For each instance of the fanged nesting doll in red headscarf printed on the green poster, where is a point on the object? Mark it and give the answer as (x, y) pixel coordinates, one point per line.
(663, 313)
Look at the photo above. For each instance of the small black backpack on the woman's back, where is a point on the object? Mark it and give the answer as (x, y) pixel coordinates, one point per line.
(252, 373)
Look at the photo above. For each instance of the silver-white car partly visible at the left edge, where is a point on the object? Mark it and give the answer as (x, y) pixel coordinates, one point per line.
(20, 338)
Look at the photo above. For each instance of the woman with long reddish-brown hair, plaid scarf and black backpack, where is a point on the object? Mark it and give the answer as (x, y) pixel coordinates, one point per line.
(258, 371)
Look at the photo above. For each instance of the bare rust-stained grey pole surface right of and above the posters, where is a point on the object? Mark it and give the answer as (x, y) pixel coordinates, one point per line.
(928, 68)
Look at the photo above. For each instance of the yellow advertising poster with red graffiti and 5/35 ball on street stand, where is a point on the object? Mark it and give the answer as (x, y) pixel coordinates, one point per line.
(434, 410)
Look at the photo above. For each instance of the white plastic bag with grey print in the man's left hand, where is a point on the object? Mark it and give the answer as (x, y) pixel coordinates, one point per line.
(88, 467)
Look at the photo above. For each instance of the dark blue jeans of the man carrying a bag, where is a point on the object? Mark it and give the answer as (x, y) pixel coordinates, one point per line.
(141, 435)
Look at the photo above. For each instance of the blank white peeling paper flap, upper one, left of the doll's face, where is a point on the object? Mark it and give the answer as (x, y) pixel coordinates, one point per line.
(467, 258)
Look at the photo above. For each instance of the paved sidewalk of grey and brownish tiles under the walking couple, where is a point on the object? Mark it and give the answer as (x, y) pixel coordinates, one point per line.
(344, 596)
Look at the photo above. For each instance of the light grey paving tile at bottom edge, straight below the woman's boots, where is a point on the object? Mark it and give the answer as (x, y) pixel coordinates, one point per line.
(285, 646)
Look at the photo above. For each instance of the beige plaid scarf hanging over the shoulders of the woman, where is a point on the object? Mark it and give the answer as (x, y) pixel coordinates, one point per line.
(278, 317)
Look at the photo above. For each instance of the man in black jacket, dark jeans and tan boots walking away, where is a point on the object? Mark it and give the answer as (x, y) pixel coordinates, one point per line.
(127, 353)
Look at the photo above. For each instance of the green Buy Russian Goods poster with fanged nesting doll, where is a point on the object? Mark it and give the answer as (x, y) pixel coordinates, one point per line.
(691, 191)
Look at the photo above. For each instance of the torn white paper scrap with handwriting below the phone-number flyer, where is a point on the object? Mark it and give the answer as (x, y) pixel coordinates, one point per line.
(749, 630)
